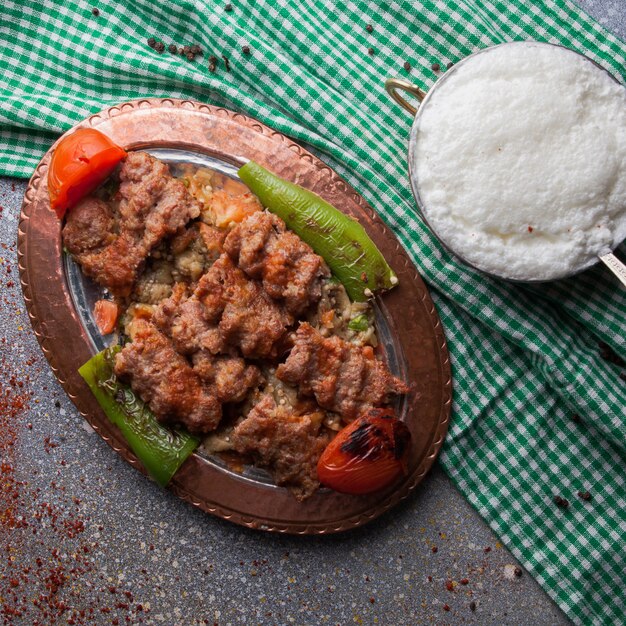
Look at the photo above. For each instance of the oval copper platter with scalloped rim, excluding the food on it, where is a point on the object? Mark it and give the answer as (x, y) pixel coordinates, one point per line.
(408, 325)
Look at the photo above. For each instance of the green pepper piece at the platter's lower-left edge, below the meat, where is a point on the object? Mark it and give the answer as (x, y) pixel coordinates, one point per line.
(161, 450)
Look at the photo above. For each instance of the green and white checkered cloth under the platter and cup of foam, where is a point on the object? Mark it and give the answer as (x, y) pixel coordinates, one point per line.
(525, 359)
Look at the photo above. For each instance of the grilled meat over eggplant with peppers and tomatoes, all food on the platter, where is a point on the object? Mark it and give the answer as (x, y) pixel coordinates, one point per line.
(242, 318)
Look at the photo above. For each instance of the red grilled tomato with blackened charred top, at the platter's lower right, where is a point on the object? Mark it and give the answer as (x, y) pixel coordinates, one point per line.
(367, 455)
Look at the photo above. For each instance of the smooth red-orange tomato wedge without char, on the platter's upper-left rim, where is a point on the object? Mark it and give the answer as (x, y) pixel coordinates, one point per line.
(79, 164)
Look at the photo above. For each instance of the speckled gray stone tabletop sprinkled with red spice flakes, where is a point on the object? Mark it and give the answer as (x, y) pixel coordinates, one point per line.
(93, 541)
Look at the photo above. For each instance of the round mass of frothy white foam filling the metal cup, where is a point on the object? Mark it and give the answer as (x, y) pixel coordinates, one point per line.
(520, 157)
